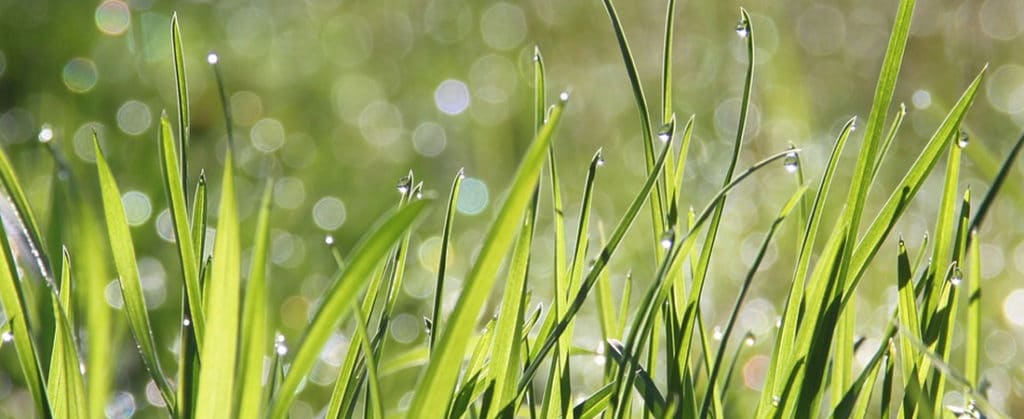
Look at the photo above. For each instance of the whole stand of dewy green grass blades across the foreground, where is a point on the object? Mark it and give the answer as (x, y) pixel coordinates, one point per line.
(665, 362)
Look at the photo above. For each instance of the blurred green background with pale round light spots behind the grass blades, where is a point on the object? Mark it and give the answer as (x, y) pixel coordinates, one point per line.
(337, 100)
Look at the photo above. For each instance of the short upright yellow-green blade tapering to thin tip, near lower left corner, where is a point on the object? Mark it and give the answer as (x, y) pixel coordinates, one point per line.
(65, 385)
